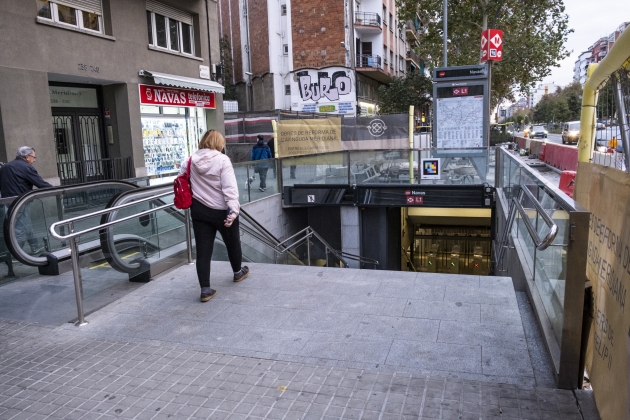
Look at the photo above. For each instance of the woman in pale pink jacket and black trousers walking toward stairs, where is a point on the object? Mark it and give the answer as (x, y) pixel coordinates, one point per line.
(215, 208)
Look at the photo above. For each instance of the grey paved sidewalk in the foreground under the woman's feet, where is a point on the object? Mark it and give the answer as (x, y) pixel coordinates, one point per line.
(287, 343)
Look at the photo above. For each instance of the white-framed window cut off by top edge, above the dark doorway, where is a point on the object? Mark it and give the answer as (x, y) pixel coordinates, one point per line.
(90, 20)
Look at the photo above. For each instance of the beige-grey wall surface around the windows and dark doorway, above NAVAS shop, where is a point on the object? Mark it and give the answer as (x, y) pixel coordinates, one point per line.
(34, 53)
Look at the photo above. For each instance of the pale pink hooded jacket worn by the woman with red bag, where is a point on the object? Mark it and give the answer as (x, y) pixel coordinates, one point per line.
(213, 180)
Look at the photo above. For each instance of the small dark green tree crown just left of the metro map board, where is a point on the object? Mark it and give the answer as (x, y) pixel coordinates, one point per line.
(413, 89)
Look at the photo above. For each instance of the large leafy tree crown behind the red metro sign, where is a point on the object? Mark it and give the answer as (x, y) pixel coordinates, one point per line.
(534, 34)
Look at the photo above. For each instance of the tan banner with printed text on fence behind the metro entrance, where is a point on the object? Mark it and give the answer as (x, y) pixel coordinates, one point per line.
(309, 137)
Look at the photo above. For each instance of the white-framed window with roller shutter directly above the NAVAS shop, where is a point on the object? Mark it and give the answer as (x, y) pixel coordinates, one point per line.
(170, 33)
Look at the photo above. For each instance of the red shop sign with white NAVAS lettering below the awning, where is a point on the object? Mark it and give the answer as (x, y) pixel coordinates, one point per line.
(162, 96)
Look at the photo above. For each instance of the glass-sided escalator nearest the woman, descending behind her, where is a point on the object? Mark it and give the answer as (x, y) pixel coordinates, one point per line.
(161, 242)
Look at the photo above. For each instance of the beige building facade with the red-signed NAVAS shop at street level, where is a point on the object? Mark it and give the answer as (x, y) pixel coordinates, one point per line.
(107, 89)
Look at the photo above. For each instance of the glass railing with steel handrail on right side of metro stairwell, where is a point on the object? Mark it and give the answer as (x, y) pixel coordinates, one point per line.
(554, 268)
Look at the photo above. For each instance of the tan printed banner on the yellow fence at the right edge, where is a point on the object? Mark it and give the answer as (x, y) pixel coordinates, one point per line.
(605, 192)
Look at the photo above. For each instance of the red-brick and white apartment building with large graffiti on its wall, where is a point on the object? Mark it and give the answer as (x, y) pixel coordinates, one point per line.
(314, 56)
